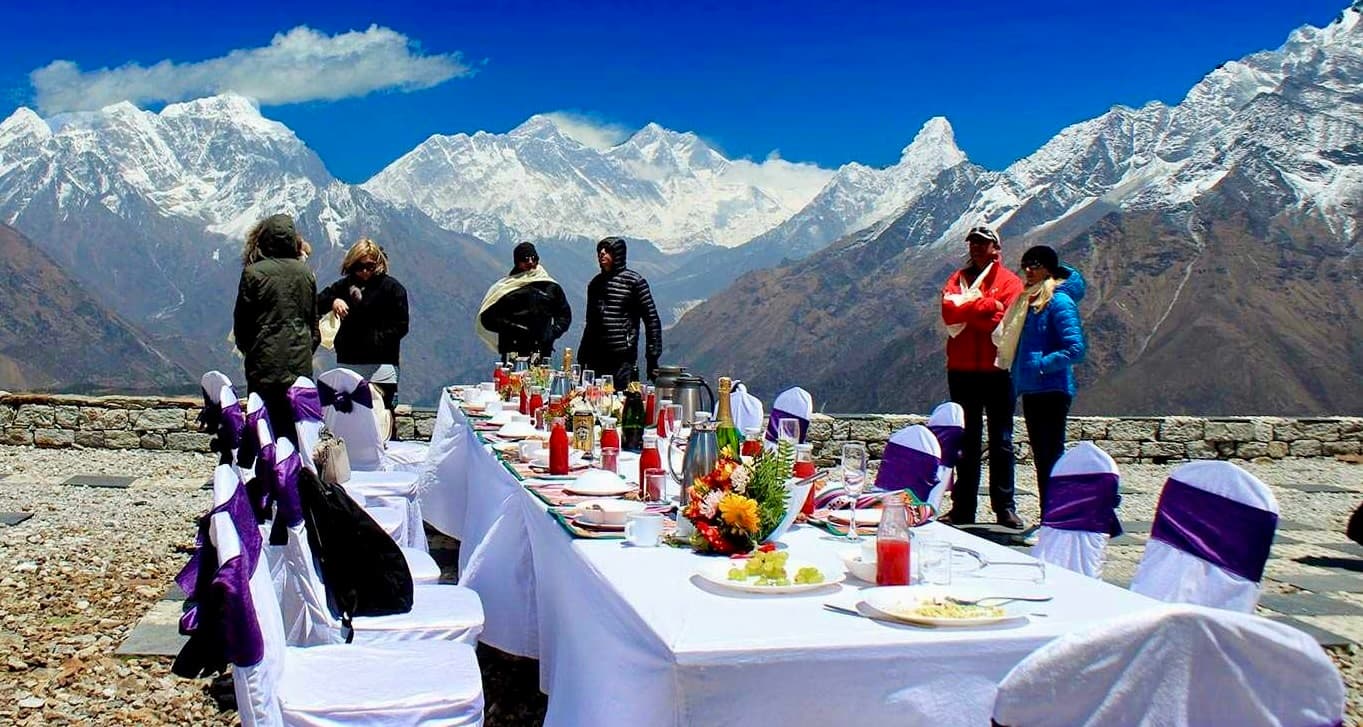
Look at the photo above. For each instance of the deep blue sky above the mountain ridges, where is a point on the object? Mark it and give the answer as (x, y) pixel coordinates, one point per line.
(817, 83)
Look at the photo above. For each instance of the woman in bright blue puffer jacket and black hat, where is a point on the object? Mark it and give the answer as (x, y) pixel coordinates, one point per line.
(1050, 342)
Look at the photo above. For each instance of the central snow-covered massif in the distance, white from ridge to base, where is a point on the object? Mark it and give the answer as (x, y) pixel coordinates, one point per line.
(538, 182)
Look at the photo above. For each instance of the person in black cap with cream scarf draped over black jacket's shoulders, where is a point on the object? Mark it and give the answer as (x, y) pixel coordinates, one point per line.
(527, 312)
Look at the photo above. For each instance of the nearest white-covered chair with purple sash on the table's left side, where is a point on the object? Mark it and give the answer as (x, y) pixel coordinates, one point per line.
(427, 683)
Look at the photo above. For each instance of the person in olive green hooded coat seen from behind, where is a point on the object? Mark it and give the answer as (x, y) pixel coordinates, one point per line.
(276, 317)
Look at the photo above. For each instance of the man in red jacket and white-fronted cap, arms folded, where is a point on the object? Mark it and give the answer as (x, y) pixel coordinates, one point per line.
(973, 305)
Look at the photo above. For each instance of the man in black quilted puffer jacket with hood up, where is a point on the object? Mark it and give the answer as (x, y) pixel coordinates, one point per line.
(618, 302)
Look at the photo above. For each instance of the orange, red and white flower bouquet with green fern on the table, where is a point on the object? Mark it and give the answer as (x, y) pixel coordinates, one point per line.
(738, 505)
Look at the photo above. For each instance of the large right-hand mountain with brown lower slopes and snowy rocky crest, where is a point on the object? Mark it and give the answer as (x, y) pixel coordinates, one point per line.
(1221, 239)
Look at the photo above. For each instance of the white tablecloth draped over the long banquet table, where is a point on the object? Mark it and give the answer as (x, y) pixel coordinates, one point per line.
(630, 636)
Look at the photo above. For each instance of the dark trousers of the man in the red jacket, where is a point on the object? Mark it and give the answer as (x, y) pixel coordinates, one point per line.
(982, 394)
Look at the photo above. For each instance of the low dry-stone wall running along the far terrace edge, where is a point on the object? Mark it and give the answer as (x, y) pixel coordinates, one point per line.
(59, 421)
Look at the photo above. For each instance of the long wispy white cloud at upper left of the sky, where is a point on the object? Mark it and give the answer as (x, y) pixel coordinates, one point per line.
(298, 66)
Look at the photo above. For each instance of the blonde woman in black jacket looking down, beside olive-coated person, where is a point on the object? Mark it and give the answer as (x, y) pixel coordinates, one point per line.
(373, 308)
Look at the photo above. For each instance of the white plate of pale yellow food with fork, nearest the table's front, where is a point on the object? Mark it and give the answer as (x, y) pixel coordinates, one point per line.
(944, 605)
